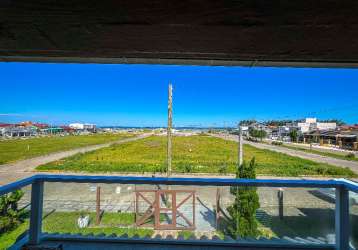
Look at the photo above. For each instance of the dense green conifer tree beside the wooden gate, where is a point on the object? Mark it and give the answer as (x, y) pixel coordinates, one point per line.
(243, 211)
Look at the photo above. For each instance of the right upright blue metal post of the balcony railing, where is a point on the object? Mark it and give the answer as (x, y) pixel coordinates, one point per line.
(342, 218)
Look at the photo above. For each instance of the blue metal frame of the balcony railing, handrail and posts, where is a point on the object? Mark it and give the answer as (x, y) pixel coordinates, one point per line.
(341, 186)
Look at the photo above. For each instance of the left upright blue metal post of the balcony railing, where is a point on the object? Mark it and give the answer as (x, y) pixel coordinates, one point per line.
(36, 213)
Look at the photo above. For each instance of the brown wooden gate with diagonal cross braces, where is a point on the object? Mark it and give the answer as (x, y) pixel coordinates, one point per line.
(161, 209)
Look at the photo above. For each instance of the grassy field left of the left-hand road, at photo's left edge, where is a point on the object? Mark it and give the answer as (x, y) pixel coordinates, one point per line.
(12, 150)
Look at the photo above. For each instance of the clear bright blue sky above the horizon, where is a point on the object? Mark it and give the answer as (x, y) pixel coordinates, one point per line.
(136, 95)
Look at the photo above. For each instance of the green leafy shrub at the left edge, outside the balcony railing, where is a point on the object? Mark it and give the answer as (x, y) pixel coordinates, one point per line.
(10, 214)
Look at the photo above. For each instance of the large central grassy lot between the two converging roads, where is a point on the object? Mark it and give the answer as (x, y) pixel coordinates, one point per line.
(194, 154)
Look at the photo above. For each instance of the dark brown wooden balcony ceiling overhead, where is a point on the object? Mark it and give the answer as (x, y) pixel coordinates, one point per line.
(203, 32)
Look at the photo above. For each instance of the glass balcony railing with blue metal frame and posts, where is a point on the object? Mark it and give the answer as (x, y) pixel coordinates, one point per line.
(266, 213)
